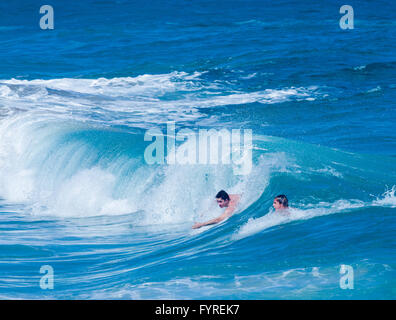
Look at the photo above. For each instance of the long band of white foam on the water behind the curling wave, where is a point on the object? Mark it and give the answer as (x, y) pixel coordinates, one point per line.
(133, 100)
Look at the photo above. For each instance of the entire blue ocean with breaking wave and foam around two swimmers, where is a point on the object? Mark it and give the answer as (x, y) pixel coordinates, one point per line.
(77, 194)
